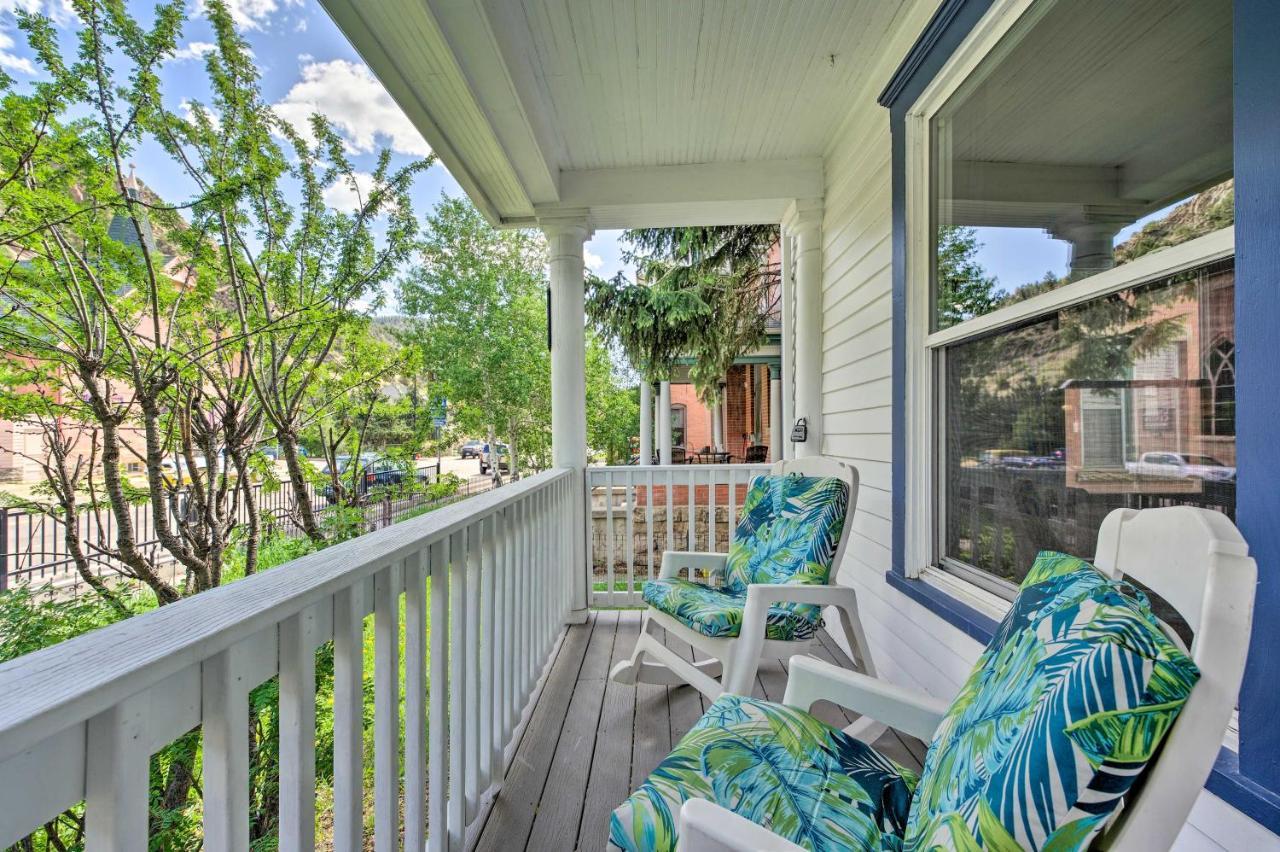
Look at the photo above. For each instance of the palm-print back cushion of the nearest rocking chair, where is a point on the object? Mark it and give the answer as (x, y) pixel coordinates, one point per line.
(1057, 722)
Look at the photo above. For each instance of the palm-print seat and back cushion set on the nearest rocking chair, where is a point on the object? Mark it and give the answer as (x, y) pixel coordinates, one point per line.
(1059, 718)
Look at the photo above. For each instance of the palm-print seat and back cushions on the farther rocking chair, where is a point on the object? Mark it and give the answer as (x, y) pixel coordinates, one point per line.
(788, 534)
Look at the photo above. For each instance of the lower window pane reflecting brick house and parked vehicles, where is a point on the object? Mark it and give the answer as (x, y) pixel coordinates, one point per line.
(1127, 401)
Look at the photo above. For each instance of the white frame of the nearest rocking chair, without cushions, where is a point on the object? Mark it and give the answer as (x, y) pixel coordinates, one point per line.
(1194, 558)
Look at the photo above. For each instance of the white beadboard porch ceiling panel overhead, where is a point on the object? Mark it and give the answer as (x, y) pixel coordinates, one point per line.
(671, 83)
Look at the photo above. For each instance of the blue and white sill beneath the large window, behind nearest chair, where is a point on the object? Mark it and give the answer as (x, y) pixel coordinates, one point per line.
(970, 611)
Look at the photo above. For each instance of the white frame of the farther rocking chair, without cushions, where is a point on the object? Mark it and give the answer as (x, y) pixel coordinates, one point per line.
(732, 663)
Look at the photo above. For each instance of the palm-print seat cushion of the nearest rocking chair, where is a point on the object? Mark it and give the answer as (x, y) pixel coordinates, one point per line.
(780, 768)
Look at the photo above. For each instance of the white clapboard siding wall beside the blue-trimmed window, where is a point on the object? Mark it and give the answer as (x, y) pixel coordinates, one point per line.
(911, 644)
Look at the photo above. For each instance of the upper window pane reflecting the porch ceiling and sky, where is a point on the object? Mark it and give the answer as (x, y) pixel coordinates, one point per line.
(1098, 131)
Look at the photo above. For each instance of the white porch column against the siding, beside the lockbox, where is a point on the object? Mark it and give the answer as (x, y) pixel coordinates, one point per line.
(806, 223)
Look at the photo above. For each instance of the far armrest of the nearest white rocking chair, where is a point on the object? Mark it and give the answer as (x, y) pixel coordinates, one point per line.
(908, 711)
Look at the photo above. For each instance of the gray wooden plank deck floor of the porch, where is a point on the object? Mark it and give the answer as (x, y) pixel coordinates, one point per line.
(592, 741)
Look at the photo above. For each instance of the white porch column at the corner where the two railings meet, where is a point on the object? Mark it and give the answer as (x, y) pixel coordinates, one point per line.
(565, 237)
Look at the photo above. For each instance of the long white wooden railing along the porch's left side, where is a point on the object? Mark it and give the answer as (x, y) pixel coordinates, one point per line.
(487, 588)
